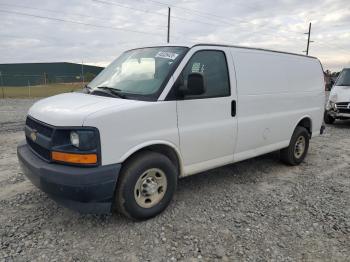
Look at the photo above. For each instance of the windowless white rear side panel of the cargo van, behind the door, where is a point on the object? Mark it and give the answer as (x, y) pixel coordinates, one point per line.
(275, 91)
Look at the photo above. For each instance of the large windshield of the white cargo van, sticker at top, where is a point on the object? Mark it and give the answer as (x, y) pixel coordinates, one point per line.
(139, 73)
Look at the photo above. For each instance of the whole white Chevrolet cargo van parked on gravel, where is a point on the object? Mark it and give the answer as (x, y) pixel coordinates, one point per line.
(160, 113)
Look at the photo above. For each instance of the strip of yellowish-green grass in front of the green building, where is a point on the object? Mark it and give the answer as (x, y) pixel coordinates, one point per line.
(38, 91)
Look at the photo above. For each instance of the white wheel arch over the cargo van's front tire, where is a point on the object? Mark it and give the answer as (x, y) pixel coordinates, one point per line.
(163, 147)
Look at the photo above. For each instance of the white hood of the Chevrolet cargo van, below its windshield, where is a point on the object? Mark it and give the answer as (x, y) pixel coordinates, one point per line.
(71, 109)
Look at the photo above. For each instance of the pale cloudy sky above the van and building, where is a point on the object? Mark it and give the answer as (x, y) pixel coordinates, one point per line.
(97, 31)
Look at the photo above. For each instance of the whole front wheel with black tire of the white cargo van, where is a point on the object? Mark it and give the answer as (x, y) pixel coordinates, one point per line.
(146, 170)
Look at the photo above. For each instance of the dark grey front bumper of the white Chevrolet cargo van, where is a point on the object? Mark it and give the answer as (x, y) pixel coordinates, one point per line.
(84, 189)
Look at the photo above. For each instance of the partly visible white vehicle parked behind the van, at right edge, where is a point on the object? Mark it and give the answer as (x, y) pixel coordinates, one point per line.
(338, 105)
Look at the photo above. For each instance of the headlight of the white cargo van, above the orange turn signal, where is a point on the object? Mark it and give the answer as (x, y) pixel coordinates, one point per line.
(84, 139)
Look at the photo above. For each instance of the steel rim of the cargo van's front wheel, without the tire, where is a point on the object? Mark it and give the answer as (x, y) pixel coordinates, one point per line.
(150, 188)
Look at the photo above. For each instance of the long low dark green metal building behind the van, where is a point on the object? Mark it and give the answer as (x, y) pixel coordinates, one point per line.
(24, 74)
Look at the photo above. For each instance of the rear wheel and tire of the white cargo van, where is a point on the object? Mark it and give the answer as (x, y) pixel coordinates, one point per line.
(292, 155)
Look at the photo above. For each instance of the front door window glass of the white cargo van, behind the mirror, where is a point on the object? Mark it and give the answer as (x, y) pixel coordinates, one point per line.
(212, 64)
